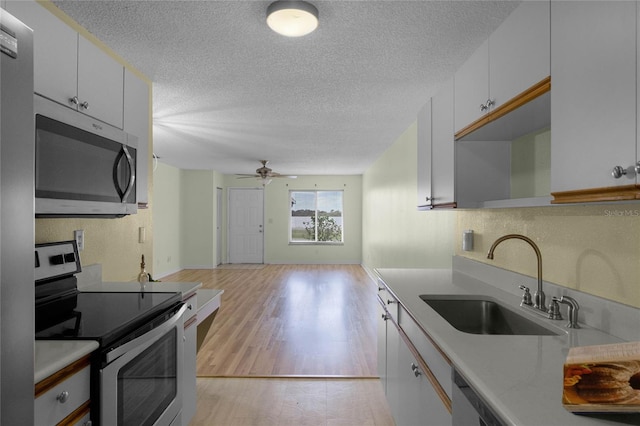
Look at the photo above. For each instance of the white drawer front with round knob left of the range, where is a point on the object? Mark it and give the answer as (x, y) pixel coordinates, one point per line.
(51, 407)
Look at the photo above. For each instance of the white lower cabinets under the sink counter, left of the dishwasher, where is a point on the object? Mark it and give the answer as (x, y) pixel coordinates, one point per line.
(417, 378)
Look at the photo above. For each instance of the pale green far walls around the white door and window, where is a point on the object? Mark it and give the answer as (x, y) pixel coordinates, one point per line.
(185, 215)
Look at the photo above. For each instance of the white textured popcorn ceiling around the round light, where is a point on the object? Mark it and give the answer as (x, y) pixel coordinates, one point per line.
(228, 91)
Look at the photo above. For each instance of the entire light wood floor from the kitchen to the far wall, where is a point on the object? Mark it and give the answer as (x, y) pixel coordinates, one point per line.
(282, 336)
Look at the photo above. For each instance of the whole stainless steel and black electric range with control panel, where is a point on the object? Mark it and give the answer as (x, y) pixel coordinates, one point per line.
(136, 374)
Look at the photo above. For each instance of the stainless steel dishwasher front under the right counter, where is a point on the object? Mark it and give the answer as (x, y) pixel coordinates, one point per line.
(468, 408)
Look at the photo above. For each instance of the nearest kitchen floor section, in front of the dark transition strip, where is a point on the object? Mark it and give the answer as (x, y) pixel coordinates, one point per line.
(316, 402)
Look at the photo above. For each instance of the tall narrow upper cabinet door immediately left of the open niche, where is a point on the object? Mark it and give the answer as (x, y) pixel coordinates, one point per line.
(442, 165)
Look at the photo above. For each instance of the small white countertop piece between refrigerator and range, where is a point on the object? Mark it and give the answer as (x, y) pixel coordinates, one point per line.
(53, 355)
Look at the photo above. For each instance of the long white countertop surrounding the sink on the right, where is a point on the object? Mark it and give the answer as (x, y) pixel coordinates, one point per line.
(521, 377)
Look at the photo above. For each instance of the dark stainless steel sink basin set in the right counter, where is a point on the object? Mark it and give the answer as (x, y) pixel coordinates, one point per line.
(483, 315)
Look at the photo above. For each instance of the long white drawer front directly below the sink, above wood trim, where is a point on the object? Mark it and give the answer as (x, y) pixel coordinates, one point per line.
(439, 365)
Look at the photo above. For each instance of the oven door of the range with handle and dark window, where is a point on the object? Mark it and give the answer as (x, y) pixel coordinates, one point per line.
(141, 383)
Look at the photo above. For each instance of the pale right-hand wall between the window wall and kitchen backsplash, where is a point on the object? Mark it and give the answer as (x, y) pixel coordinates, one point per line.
(395, 233)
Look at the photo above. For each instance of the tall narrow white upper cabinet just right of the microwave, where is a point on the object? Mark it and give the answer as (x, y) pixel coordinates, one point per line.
(136, 122)
